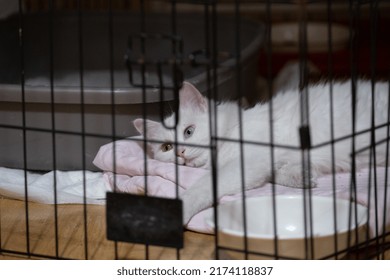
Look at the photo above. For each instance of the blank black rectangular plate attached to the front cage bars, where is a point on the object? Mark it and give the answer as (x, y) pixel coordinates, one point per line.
(144, 219)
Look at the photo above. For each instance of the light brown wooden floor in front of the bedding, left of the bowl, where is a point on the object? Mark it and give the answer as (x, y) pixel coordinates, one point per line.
(78, 232)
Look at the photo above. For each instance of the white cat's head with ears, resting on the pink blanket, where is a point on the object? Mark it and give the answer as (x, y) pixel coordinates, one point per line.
(192, 131)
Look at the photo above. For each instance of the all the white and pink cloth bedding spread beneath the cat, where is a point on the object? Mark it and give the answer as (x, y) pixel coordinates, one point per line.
(128, 175)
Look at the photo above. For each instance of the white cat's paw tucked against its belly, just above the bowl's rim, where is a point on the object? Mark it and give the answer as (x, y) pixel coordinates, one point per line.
(291, 176)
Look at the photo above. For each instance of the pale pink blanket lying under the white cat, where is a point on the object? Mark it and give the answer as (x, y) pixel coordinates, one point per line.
(130, 176)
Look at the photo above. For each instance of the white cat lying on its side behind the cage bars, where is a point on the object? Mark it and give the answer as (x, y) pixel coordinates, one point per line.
(250, 161)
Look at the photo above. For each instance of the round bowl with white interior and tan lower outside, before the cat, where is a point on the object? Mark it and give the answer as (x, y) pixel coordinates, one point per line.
(305, 228)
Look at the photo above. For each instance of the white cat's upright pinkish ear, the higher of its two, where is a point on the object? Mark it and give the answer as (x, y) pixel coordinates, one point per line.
(191, 97)
